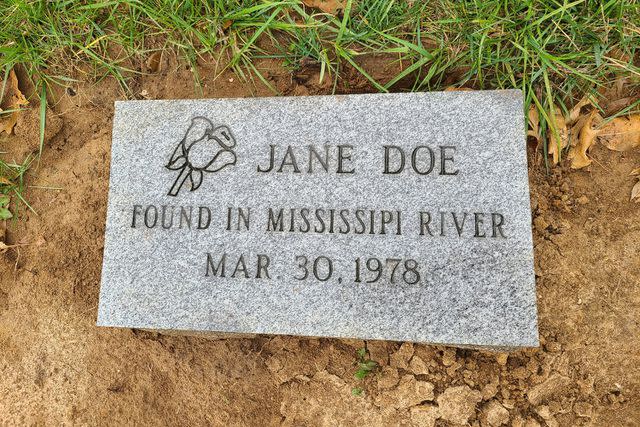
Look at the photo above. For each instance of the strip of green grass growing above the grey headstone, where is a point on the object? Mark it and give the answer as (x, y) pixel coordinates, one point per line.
(555, 51)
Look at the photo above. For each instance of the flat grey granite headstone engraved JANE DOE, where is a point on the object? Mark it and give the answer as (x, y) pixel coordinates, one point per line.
(394, 217)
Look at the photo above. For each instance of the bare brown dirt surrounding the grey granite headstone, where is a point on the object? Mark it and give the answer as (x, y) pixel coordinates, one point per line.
(57, 367)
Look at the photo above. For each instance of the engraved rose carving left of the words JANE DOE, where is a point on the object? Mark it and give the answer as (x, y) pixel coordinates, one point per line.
(204, 148)
